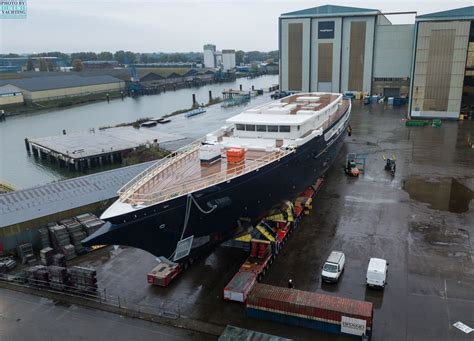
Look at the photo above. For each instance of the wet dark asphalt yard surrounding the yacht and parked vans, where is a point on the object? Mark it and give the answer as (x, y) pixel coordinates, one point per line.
(421, 220)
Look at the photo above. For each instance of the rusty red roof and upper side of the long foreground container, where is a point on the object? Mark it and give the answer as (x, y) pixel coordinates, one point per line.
(308, 305)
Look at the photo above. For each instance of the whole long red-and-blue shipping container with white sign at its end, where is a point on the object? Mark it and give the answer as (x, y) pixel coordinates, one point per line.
(311, 310)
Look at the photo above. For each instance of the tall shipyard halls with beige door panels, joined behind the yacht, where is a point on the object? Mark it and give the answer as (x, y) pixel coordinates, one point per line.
(338, 49)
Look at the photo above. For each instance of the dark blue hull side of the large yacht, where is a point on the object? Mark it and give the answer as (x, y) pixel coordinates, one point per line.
(158, 228)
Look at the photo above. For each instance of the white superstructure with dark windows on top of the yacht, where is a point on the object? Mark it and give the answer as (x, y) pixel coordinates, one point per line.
(290, 121)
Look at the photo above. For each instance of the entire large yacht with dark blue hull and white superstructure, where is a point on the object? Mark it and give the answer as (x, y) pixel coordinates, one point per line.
(202, 192)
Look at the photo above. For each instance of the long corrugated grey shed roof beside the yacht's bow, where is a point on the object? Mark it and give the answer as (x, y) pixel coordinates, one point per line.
(32, 203)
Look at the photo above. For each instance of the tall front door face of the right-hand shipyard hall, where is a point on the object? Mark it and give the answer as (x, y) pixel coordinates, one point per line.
(440, 60)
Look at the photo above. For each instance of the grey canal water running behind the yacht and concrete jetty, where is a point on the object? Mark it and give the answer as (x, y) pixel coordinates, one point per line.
(23, 171)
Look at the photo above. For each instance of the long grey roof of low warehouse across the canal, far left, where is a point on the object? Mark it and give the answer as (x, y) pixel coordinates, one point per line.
(58, 82)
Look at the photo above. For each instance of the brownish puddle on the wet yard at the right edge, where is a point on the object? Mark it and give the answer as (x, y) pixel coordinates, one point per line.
(444, 194)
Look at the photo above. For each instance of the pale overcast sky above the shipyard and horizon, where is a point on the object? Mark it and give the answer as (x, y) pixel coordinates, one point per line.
(152, 26)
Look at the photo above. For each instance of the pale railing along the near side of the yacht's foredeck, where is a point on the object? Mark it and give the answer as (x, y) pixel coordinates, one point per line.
(201, 183)
